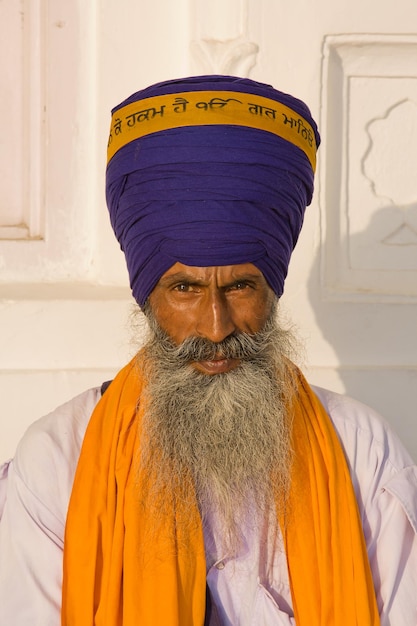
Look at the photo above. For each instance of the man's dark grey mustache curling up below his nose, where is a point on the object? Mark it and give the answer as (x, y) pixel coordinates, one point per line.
(242, 346)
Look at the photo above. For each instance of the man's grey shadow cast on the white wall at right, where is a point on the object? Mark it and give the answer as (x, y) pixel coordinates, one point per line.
(363, 291)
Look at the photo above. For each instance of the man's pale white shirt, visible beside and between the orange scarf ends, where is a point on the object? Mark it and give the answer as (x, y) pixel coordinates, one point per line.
(251, 589)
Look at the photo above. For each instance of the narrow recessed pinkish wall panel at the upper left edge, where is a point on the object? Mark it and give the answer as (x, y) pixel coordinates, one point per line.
(22, 105)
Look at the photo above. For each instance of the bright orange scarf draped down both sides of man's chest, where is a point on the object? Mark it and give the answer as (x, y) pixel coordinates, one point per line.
(106, 583)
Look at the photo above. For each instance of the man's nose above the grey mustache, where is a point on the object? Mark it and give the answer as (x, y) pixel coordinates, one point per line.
(215, 321)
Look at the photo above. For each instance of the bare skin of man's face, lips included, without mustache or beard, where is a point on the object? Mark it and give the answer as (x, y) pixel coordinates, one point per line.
(213, 303)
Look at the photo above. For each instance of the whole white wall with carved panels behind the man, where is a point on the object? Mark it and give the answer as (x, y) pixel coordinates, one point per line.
(352, 287)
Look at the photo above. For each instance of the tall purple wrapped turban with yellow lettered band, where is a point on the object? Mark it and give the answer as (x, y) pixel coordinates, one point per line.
(209, 170)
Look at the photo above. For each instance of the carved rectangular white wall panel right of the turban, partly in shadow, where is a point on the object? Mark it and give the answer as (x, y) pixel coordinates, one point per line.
(368, 195)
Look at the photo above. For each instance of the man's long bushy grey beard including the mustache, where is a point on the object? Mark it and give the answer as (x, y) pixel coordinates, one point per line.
(222, 440)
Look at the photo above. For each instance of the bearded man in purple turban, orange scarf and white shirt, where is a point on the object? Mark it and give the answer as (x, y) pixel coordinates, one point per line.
(209, 483)
